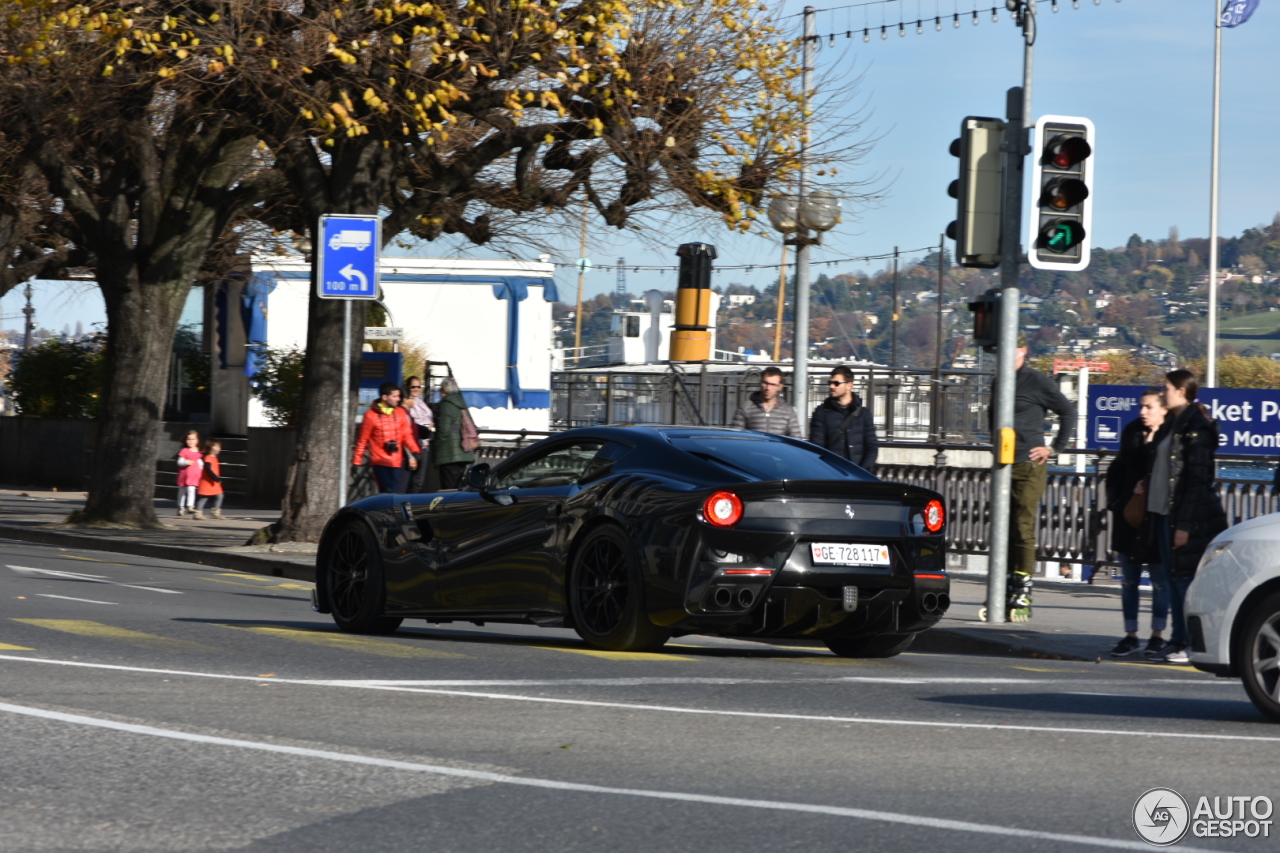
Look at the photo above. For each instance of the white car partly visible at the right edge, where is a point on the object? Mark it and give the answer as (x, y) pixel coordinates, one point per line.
(1233, 610)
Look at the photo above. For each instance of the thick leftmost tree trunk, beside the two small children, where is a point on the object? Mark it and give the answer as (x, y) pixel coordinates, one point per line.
(143, 320)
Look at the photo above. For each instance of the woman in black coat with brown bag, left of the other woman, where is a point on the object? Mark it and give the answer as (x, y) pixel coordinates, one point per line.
(1124, 480)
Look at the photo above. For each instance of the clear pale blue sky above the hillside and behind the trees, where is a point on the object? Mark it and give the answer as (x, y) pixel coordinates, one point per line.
(1142, 70)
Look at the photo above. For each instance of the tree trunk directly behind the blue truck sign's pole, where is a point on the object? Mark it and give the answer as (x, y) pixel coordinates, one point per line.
(312, 490)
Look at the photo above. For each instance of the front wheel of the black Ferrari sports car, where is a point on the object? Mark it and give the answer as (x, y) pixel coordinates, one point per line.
(354, 580)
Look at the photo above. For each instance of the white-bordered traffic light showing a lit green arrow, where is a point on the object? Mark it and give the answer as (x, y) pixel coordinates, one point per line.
(1063, 186)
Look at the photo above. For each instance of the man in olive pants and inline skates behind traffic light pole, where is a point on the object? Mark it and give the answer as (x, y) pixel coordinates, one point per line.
(1035, 396)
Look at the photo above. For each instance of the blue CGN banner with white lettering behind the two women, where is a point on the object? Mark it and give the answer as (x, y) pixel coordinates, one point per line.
(1249, 419)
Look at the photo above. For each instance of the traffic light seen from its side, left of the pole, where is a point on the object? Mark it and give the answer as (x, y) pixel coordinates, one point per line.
(979, 193)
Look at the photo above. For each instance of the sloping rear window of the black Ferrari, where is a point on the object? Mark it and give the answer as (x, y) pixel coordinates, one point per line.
(766, 460)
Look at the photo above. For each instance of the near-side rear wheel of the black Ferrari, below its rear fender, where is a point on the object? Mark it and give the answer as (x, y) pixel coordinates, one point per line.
(607, 595)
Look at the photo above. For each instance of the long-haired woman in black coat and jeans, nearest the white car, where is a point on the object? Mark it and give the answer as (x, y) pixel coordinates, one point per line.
(1181, 494)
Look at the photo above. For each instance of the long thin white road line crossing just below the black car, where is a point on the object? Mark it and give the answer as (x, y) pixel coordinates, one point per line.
(665, 709)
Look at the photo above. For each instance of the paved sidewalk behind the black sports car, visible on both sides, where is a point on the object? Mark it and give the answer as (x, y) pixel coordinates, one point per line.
(1071, 621)
